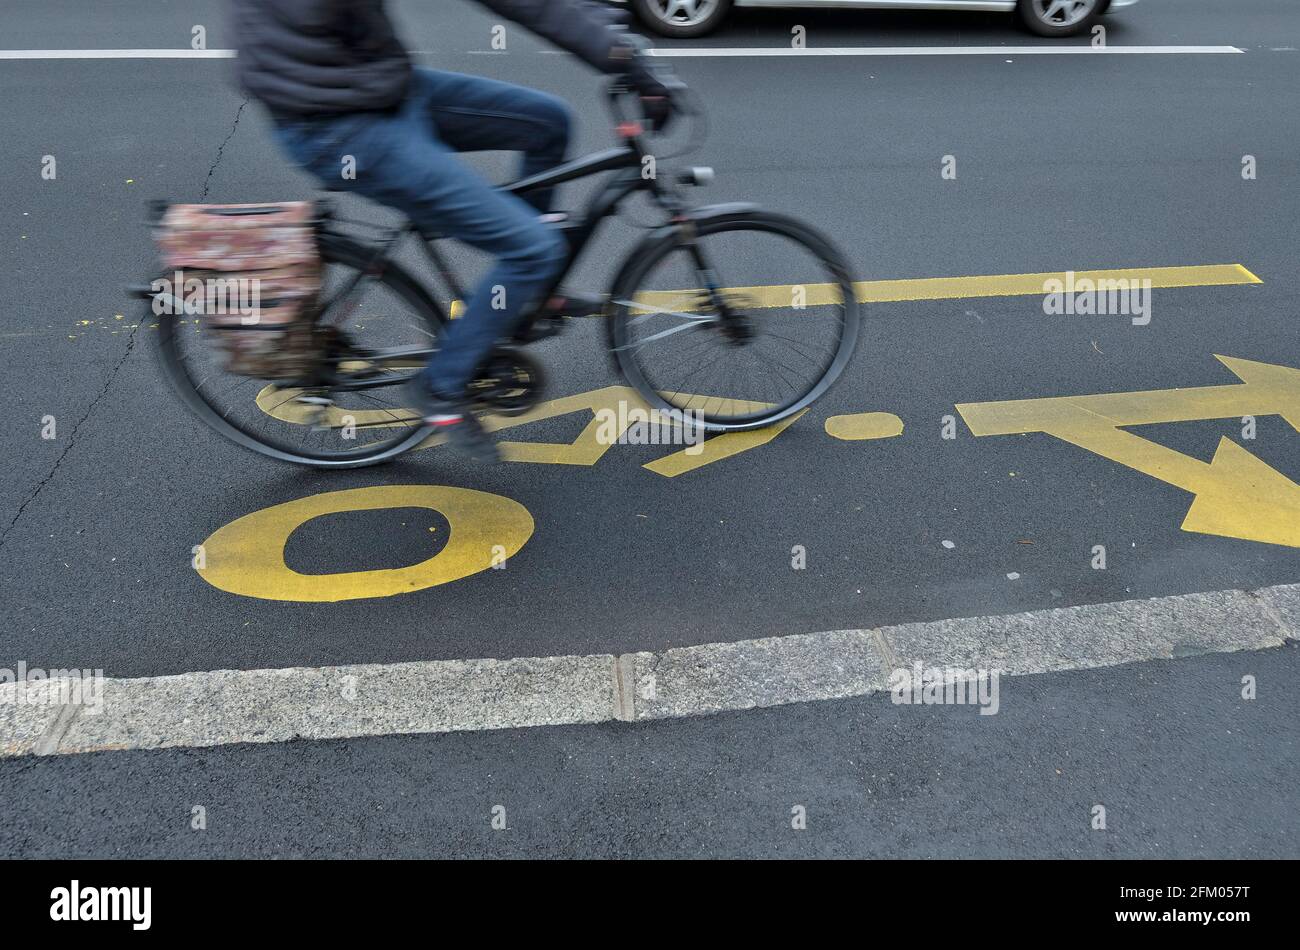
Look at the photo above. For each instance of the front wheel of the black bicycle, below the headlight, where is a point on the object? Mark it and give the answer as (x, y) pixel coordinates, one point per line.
(739, 327)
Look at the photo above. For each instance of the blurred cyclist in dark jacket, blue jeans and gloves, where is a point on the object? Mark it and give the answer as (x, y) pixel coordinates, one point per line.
(350, 109)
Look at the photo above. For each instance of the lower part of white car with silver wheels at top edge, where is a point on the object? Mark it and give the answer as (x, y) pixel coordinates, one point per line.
(1045, 18)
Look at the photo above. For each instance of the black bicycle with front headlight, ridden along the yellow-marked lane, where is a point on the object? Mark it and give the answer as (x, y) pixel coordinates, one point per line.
(725, 318)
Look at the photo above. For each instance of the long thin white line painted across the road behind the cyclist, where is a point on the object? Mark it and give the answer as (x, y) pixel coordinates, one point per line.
(697, 53)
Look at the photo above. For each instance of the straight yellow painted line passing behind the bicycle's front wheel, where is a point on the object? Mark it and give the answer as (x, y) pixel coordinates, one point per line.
(954, 288)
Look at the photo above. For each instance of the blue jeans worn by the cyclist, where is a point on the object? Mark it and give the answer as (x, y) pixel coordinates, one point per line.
(408, 160)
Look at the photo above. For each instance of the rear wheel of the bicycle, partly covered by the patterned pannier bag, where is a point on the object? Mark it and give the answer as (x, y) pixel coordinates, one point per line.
(353, 414)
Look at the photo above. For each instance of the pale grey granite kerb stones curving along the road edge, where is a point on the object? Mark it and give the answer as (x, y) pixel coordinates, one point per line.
(257, 706)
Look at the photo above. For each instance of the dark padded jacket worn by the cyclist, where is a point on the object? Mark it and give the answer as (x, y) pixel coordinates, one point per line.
(305, 58)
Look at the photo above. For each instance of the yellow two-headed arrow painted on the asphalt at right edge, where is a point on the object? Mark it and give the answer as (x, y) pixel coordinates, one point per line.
(1237, 494)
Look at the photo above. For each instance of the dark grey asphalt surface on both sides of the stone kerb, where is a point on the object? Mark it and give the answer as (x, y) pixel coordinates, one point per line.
(1181, 166)
